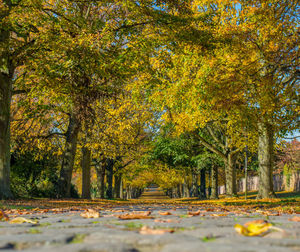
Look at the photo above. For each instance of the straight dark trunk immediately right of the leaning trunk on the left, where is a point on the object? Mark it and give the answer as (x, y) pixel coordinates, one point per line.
(86, 173)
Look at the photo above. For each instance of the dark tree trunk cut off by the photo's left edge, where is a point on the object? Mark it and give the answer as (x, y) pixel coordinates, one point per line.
(6, 74)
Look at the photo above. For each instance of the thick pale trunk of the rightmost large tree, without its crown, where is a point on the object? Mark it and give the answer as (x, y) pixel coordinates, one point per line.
(265, 160)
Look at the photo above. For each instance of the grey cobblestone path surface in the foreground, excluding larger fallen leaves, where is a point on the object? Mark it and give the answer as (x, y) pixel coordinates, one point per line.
(212, 230)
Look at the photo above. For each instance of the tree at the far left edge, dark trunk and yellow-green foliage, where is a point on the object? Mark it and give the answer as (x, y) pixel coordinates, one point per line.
(18, 29)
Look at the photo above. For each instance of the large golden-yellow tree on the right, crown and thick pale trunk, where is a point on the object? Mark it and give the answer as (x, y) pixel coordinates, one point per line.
(247, 81)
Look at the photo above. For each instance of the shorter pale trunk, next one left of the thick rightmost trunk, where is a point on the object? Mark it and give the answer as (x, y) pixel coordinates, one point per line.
(230, 173)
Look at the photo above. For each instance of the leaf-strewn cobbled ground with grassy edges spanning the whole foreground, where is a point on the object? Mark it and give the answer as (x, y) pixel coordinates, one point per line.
(152, 224)
